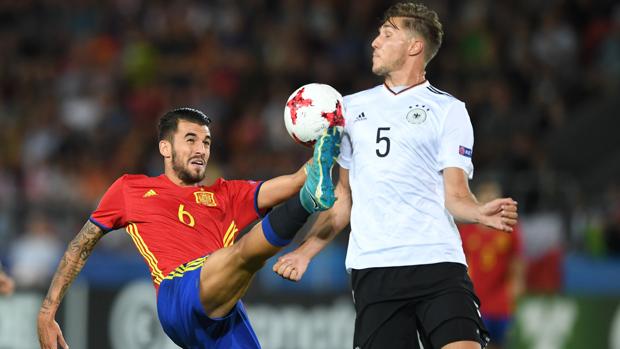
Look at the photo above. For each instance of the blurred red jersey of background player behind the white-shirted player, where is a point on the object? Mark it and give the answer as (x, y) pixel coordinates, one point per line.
(489, 254)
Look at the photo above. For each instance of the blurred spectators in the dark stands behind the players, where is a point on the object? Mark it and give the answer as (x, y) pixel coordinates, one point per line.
(82, 83)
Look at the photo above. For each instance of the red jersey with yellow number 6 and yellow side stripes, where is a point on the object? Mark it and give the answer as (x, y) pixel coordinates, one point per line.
(172, 225)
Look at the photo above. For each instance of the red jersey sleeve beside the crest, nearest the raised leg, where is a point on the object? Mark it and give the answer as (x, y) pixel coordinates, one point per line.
(244, 195)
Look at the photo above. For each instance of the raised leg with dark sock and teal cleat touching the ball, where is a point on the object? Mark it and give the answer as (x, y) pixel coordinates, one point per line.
(227, 273)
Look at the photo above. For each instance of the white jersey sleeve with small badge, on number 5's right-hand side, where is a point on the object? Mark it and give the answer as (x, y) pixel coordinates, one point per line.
(457, 140)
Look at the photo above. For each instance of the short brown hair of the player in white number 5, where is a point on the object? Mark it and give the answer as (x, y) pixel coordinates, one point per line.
(421, 20)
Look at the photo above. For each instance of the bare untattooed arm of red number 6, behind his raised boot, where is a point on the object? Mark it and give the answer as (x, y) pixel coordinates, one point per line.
(278, 189)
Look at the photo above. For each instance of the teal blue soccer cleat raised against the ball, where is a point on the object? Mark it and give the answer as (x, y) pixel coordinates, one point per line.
(317, 194)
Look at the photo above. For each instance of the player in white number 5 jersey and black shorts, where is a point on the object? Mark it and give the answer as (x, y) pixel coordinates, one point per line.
(404, 168)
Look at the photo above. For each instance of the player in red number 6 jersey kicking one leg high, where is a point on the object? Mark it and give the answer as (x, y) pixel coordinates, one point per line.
(186, 233)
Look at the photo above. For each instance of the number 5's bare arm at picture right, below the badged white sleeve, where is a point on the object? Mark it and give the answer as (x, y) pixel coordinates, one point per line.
(500, 214)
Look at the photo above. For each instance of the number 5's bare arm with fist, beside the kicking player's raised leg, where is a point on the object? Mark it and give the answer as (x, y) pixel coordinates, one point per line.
(329, 223)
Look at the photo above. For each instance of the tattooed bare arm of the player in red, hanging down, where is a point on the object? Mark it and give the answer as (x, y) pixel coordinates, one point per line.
(71, 264)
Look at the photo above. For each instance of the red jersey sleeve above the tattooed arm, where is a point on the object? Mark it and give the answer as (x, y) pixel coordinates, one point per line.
(110, 213)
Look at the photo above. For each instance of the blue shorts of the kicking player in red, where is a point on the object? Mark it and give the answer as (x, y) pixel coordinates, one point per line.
(184, 320)
